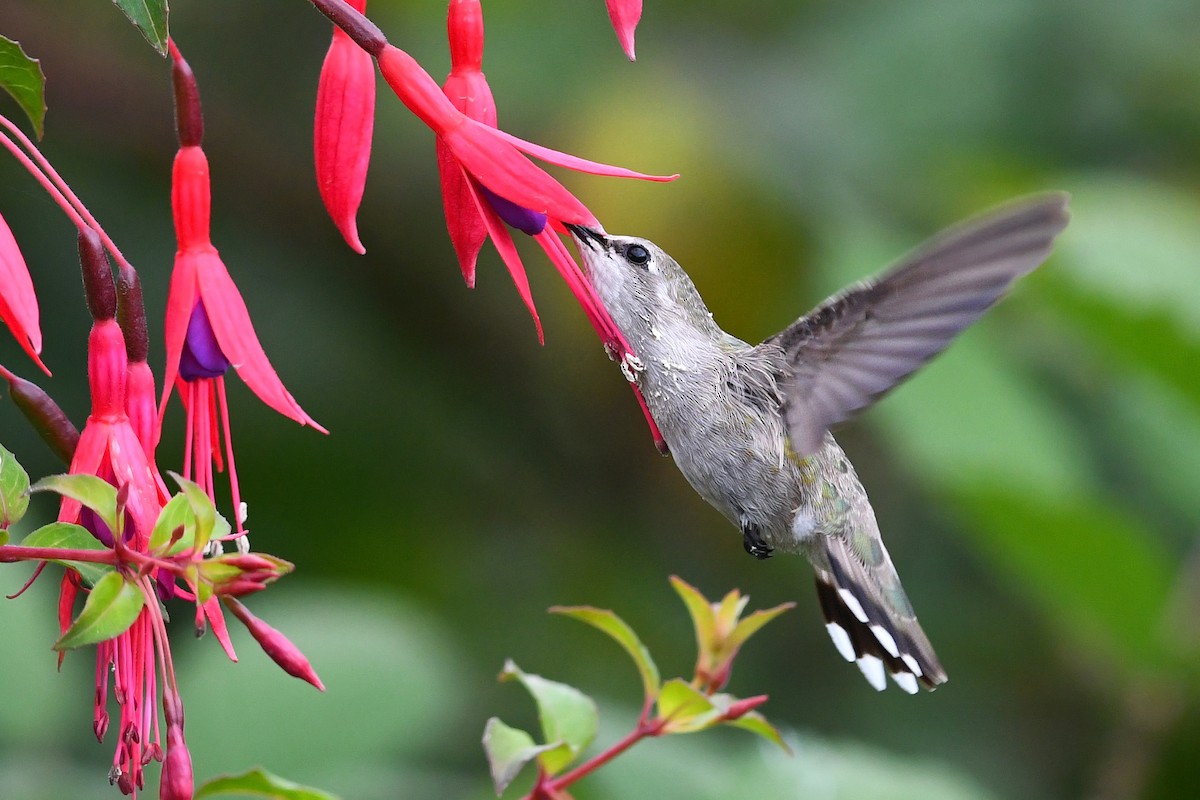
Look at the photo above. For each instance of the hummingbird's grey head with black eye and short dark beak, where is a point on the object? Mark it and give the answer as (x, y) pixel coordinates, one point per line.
(639, 284)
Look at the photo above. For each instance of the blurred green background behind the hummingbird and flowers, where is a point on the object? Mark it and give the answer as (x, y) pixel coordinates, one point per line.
(1037, 485)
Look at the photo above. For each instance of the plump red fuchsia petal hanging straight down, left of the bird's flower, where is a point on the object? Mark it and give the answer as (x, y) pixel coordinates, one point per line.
(343, 133)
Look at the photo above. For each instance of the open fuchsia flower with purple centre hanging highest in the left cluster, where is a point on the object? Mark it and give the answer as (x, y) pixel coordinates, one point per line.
(208, 328)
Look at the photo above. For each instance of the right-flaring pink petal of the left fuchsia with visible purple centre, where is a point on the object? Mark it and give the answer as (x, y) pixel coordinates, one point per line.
(238, 340)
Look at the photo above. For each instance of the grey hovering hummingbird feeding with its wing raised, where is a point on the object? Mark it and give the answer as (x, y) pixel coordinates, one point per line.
(749, 425)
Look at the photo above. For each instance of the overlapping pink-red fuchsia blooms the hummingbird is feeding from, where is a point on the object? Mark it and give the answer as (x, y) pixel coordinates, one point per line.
(487, 176)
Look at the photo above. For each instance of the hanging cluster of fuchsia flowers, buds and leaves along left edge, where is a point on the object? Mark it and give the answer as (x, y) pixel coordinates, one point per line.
(128, 544)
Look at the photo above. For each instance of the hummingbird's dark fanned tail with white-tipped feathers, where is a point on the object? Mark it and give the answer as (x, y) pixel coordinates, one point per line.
(872, 622)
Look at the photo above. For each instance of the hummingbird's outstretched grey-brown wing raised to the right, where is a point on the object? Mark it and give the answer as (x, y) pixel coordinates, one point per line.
(865, 341)
